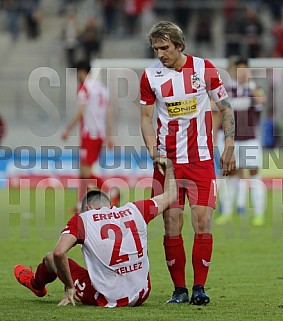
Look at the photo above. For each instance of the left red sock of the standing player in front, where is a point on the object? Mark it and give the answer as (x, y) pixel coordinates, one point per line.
(175, 259)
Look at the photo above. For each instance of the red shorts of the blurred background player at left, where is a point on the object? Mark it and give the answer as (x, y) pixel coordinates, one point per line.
(90, 150)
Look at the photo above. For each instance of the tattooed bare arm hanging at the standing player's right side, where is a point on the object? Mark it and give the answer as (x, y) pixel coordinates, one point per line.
(227, 160)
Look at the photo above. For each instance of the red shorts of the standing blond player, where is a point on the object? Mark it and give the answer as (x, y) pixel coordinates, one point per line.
(196, 180)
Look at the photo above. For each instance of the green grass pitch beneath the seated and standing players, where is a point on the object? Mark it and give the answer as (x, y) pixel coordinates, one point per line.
(245, 280)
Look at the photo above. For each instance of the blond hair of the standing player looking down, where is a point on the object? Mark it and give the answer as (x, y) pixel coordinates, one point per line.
(165, 29)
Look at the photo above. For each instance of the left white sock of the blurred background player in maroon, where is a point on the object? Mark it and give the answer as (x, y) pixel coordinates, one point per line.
(227, 191)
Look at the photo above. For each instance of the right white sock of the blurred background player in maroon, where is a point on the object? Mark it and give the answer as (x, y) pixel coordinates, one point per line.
(258, 195)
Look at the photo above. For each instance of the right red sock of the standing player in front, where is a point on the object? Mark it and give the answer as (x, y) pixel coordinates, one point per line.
(201, 255)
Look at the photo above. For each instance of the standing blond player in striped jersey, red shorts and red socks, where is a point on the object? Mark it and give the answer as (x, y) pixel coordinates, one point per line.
(181, 87)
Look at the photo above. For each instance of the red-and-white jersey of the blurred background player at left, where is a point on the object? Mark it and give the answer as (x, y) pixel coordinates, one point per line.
(94, 95)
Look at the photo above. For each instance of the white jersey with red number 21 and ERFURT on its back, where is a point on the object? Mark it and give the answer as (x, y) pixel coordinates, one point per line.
(114, 245)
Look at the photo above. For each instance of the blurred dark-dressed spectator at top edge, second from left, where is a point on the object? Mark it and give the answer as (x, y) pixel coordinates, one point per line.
(33, 17)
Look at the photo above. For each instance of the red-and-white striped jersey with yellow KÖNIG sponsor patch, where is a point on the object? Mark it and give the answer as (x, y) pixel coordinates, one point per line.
(182, 98)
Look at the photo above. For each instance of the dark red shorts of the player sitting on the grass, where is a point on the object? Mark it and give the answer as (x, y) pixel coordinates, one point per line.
(86, 291)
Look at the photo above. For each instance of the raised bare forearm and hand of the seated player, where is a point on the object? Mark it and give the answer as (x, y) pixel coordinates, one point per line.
(170, 189)
